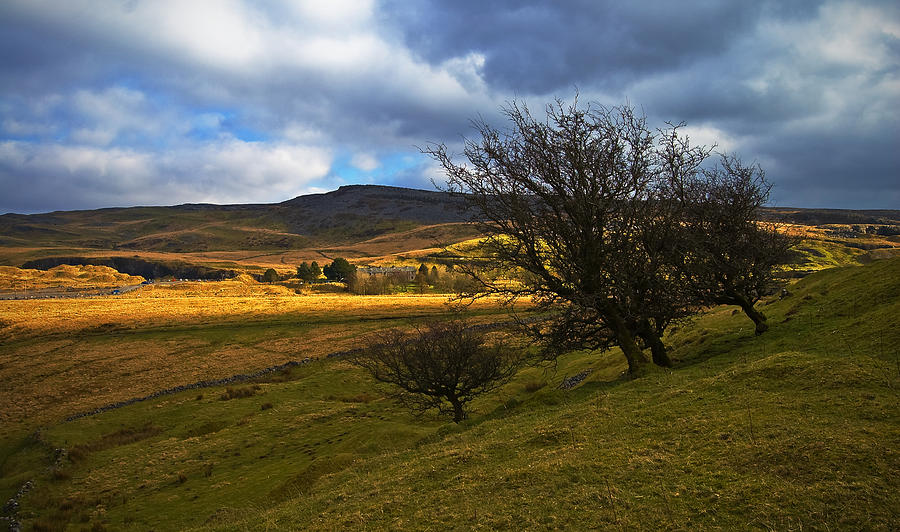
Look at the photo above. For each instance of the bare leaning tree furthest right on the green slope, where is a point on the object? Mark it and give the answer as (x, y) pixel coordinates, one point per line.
(728, 256)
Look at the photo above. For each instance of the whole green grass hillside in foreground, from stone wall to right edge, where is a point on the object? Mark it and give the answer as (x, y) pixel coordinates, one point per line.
(795, 429)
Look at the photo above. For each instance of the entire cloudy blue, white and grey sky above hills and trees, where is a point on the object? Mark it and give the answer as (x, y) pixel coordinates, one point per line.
(163, 102)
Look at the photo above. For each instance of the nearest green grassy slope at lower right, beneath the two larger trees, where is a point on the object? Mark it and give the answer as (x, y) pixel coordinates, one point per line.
(796, 429)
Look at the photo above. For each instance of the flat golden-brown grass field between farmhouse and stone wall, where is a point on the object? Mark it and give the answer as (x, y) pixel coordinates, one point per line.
(63, 356)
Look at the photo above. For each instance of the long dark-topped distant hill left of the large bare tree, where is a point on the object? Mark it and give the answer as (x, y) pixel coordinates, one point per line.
(349, 214)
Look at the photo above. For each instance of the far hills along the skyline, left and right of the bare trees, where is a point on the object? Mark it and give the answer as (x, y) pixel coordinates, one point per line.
(370, 223)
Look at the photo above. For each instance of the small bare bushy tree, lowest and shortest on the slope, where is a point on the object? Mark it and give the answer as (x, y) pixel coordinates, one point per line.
(442, 366)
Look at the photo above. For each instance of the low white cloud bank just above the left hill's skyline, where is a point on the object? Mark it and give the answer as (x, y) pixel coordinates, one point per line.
(222, 171)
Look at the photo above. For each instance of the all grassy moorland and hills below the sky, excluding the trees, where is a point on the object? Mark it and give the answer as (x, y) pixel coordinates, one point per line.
(794, 429)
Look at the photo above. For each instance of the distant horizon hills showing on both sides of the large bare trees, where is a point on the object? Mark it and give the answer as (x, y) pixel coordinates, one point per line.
(344, 217)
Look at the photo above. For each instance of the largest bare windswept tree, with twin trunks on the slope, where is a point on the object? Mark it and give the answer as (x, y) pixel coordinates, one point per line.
(575, 204)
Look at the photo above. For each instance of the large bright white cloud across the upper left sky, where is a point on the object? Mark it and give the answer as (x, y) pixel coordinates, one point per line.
(295, 70)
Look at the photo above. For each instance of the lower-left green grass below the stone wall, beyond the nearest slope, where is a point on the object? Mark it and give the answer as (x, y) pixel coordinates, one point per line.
(214, 453)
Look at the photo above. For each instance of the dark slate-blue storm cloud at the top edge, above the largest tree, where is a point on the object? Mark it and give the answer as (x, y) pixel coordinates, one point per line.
(540, 47)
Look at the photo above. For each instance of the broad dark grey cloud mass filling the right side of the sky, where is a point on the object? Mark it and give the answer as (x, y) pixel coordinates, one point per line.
(768, 77)
